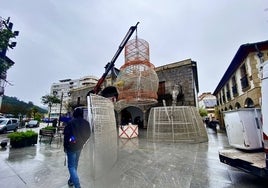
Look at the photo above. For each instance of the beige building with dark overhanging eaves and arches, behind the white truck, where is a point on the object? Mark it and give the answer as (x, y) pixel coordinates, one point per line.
(240, 86)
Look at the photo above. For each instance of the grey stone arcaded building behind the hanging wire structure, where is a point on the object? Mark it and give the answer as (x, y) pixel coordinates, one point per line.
(180, 77)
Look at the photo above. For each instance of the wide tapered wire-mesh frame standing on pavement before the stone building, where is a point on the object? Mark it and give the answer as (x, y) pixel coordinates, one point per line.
(176, 124)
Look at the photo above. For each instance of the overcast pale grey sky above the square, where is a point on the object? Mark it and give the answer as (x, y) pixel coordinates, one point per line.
(71, 39)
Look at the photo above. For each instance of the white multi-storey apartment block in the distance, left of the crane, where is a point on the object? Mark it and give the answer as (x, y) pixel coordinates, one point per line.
(62, 90)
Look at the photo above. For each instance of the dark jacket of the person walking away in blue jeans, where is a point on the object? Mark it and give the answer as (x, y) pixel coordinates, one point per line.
(76, 133)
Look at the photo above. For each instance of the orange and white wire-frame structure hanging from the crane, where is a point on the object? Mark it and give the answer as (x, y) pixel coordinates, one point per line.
(137, 82)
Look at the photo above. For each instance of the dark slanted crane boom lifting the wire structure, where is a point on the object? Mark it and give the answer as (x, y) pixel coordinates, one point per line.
(110, 65)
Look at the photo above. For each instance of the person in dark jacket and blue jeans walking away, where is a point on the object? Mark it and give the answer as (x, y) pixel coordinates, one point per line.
(76, 133)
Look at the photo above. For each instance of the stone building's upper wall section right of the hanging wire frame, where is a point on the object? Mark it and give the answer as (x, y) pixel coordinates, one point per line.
(180, 77)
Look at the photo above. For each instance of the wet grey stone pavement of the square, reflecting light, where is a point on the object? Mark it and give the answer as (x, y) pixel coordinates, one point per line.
(139, 163)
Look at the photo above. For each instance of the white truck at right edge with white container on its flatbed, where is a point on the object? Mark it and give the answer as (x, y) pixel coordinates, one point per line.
(247, 132)
